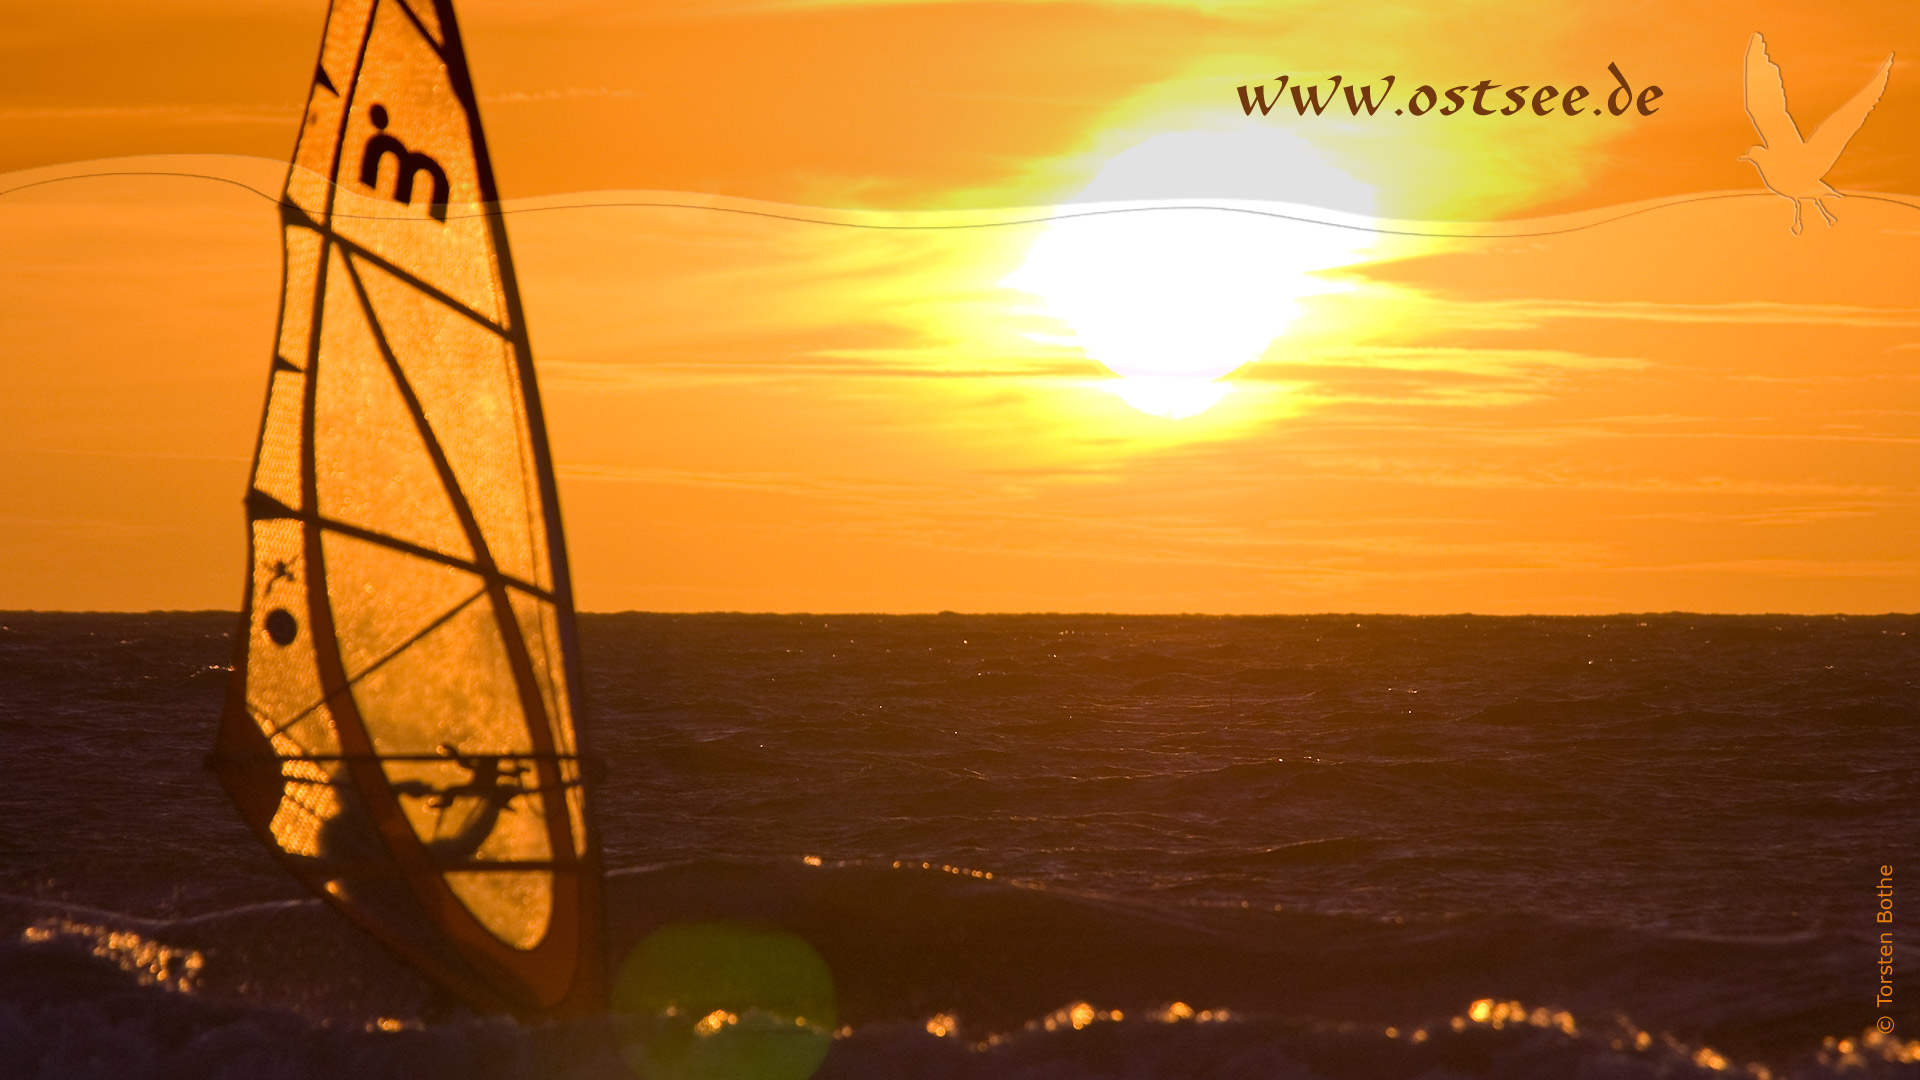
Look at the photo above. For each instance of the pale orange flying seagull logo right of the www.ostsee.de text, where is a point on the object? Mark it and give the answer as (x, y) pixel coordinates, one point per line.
(1792, 166)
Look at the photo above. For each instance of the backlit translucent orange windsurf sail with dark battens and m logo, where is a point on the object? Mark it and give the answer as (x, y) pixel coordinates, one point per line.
(400, 724)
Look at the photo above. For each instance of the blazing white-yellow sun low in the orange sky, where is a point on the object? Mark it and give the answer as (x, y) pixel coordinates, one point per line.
(1178, 293)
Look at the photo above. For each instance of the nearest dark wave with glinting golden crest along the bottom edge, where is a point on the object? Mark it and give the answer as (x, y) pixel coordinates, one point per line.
(68, 1014)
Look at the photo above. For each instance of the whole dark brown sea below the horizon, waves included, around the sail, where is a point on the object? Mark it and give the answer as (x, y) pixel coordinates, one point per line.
(1059, 847)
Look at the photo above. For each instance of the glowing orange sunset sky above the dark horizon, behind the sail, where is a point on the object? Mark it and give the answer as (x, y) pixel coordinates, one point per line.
(807, 341)
